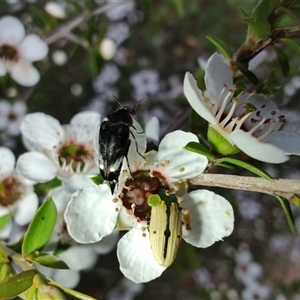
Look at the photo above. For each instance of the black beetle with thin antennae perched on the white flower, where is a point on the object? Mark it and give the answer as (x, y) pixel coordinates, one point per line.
(114, 142)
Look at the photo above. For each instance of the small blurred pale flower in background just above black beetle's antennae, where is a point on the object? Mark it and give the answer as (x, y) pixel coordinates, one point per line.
(145, 83)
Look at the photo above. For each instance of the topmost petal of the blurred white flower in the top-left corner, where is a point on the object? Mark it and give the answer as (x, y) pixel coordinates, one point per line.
(12, 31)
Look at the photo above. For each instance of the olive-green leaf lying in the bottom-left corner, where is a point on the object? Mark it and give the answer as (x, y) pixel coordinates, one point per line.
(15, 285)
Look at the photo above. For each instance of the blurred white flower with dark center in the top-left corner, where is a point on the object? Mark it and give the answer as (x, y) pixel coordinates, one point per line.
(18, 51)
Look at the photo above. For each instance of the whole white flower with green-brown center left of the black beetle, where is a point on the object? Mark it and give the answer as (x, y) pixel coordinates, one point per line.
(63, 151)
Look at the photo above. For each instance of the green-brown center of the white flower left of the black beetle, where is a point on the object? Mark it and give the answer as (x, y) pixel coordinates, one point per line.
(75, 157)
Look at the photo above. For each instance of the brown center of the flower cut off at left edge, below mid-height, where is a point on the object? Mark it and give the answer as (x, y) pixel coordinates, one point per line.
(11, 190)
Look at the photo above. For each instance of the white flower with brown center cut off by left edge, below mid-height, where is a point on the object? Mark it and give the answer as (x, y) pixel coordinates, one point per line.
(17, 198)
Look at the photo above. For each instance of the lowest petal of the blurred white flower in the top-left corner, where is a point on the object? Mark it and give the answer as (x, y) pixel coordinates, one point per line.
(24, 73)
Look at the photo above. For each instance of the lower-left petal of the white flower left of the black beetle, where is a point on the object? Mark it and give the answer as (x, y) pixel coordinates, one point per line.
(36, 166)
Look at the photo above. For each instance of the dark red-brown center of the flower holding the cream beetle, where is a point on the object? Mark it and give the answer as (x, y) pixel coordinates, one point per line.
(139, 188)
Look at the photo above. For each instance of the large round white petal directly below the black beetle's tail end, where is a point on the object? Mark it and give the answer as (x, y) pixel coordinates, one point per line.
(91, 214)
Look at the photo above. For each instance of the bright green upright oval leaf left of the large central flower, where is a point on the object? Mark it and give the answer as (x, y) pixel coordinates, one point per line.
(40, 228)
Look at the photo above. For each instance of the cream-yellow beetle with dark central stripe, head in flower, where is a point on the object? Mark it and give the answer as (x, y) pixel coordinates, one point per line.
(165, 231)
